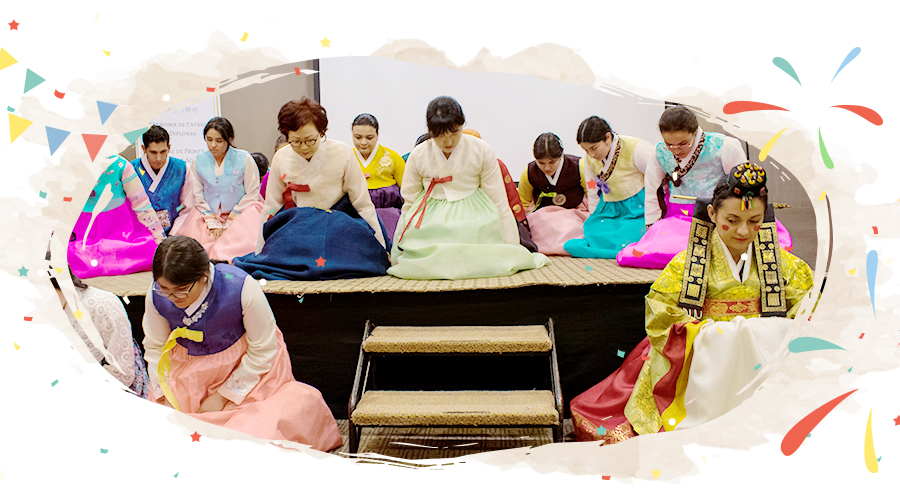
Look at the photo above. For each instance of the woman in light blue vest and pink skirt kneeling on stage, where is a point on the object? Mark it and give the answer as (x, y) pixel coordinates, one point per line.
(226, 219)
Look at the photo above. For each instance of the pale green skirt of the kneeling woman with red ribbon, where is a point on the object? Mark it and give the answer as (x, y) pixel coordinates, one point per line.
(457, 240)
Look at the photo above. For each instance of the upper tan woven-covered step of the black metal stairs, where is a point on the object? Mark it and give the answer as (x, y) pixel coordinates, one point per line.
(459, 339)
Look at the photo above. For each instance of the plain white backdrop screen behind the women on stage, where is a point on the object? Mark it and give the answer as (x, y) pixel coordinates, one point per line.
(508, 110)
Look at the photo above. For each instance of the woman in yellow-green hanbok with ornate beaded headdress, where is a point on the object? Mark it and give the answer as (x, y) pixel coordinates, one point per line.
(714, 317)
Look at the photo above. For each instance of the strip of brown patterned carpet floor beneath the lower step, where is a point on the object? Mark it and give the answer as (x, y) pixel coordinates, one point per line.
(444, 443)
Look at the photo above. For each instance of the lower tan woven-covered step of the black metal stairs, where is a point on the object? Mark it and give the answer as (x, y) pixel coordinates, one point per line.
(456, 408)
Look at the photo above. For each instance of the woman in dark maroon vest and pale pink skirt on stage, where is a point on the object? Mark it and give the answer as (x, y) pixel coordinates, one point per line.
(553, 187)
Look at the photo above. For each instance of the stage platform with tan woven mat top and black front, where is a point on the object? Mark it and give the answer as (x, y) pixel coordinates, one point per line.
(597, 308)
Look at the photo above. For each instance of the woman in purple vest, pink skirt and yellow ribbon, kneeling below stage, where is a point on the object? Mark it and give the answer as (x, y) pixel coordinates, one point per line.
(214, 351)
